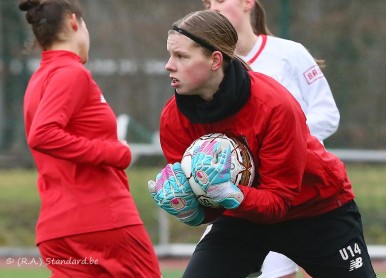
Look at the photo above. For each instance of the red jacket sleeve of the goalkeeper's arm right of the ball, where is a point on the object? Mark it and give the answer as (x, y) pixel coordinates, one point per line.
(282, 159)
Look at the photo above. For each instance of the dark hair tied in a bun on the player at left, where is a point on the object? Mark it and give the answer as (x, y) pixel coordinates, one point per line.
(47, 17)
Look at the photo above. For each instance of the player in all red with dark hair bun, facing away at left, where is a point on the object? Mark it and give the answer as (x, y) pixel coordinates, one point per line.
(88, 225)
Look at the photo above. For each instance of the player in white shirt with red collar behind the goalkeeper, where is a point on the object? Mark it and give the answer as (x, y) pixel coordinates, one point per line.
(293, 66)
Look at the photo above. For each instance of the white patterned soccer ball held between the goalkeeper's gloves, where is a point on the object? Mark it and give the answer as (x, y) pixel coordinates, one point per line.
(242, 166)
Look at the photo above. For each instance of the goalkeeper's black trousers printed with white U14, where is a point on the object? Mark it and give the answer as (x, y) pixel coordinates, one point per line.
(327, 246)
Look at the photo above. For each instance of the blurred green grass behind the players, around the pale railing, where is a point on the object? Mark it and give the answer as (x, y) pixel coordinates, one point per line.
(19, 206)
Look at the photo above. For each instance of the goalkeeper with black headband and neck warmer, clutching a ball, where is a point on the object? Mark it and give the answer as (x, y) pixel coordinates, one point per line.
(301, 203)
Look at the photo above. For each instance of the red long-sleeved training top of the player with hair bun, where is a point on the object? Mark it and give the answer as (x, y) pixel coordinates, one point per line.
(72, 134)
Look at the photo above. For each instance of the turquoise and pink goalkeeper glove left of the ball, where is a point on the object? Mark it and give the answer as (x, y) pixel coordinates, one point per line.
(172, 192)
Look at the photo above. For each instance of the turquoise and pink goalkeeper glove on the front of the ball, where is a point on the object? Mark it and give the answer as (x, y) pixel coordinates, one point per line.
(211, 166)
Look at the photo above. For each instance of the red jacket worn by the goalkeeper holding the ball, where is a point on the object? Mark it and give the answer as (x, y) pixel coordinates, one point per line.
(295, 176)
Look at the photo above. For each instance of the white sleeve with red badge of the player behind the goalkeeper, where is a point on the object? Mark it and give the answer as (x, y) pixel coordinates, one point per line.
(322, 113)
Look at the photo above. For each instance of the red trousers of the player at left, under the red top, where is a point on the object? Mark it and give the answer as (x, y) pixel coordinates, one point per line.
(122, 252)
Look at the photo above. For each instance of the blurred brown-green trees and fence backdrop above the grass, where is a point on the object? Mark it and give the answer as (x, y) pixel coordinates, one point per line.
(128, 54)
